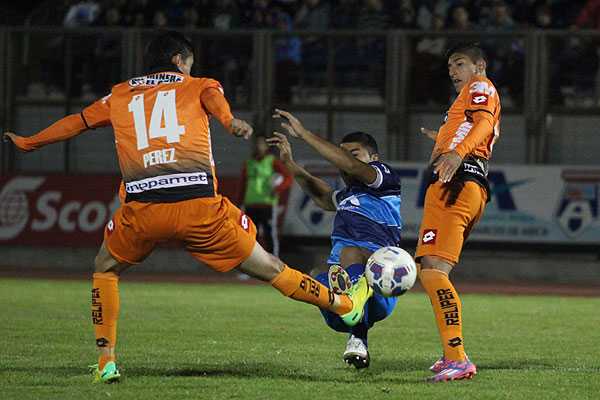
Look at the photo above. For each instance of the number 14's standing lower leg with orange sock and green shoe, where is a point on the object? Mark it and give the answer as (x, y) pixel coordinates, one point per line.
(105, 312)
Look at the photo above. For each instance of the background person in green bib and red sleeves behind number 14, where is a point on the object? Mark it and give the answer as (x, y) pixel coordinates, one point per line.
(264, 179)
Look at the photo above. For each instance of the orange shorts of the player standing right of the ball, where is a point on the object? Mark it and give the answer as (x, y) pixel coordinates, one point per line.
(444, 229)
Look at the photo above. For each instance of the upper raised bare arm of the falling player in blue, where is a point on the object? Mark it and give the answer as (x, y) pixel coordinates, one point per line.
(339, 157)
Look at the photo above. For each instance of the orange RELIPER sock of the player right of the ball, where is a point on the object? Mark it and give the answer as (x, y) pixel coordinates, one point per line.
(447, 309)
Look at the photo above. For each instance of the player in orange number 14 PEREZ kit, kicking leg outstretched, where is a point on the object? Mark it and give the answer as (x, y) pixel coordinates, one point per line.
(162, 137)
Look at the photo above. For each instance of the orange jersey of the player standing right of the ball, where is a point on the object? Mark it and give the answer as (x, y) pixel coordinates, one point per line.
(478, 100)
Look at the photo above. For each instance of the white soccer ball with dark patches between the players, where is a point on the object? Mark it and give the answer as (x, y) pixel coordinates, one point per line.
(391, 271)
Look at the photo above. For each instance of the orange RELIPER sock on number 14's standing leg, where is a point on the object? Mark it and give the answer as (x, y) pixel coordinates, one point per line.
(105, 312)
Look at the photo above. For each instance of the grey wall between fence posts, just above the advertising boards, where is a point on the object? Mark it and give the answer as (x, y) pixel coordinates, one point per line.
(572, 140)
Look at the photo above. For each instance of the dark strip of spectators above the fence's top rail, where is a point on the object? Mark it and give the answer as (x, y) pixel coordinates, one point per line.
(321, 14)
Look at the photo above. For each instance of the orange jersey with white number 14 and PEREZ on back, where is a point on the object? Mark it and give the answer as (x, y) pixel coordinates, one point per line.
(162, 135)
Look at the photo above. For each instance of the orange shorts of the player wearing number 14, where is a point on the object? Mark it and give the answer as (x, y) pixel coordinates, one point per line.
(212, 229)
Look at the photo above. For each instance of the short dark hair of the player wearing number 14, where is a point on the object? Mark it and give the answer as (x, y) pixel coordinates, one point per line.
(162, 48)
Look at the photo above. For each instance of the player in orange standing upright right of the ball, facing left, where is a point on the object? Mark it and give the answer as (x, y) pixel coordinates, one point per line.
(456, 197)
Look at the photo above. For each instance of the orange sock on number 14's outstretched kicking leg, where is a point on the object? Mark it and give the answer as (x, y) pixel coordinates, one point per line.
(298, 286)
